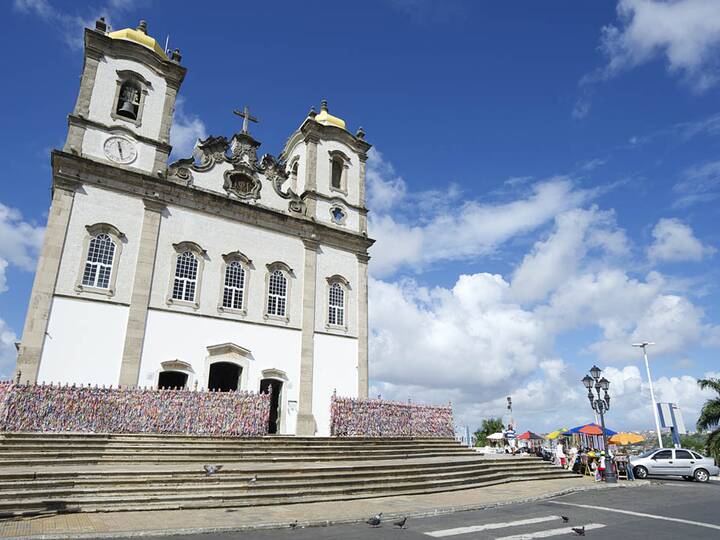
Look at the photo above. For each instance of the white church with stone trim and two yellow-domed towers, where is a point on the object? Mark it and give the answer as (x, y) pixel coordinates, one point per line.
(226, 270)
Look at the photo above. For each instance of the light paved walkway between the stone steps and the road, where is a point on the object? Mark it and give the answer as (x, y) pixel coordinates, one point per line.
(175, 522)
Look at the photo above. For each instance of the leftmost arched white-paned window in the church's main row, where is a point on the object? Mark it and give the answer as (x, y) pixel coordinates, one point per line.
(98, 267)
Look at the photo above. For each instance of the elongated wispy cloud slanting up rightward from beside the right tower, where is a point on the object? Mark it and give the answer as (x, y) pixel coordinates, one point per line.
(468, 229)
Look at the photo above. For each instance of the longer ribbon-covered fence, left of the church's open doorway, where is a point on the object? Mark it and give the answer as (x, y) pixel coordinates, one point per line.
(48, 408)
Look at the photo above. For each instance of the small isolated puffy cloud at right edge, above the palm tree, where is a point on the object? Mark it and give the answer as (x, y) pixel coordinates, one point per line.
(675, 242)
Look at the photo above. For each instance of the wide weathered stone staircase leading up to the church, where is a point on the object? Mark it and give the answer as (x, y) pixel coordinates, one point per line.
(92, 473)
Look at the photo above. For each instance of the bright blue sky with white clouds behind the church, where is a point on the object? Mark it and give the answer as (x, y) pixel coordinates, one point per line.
(544, 186)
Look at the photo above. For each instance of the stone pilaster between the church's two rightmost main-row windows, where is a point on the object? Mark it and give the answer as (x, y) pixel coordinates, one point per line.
(306, 421)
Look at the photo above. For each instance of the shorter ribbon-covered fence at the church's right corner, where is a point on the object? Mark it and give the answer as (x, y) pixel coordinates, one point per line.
(351, 417)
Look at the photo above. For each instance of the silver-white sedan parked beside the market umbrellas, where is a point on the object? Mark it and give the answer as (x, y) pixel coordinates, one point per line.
(674, 462)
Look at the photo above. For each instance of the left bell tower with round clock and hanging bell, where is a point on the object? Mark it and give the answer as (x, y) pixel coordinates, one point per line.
(126, 101)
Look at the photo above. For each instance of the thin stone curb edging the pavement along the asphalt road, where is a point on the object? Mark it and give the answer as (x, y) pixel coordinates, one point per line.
(321, 523)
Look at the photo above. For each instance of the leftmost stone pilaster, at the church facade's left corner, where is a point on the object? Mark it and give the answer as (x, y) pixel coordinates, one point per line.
(38, 314)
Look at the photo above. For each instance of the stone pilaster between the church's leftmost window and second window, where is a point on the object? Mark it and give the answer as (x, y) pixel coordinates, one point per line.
(140, 299)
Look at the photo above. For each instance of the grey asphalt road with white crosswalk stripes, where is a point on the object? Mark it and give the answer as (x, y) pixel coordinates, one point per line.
(663, 510)
